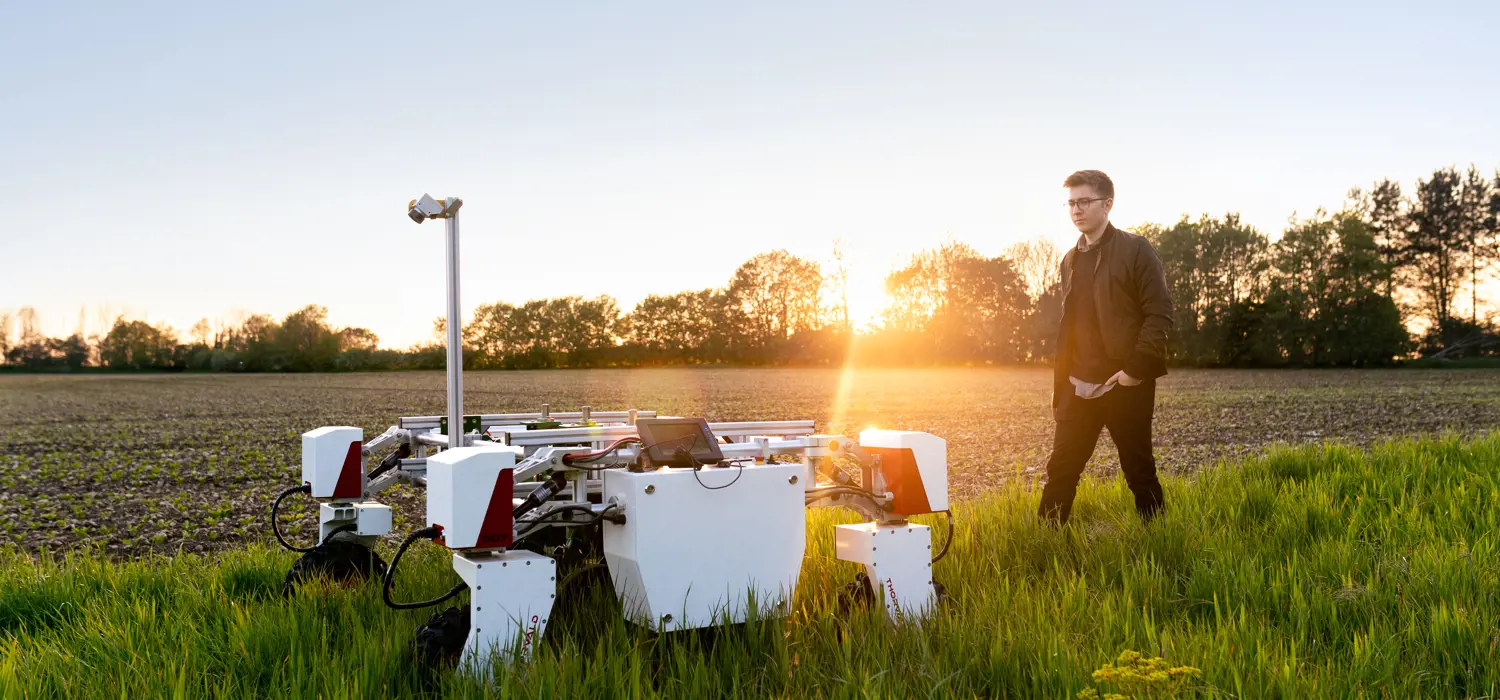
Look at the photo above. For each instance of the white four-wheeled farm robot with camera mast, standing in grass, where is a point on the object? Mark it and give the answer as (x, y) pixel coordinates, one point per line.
(698, 524)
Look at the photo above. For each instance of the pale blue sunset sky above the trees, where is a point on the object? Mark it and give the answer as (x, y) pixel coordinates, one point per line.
(184, 161)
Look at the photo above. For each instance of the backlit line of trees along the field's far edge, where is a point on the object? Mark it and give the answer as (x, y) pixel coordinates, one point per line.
(1343, 289)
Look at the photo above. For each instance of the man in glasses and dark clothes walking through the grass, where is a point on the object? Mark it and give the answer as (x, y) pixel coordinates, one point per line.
(1112, 347)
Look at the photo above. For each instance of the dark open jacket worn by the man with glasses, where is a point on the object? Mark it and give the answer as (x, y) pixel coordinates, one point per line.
(1135, 311)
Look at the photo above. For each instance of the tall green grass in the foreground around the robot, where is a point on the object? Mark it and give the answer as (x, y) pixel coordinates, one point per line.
(1321, 572)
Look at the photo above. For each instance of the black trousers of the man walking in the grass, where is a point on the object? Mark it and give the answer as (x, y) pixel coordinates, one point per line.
(1126, 411)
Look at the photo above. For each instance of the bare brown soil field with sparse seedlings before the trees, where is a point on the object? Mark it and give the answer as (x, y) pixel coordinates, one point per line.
(136, 464)
